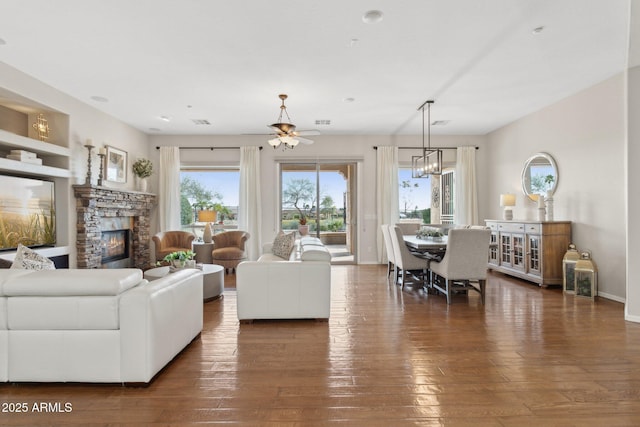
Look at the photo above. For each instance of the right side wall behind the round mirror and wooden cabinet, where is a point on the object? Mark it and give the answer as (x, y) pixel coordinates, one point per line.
(585, 134)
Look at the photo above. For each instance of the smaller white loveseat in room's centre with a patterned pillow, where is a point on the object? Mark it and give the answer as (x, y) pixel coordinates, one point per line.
(276, 288)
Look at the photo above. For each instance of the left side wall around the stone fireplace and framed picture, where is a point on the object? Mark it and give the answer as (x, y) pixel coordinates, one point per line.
(84, 122)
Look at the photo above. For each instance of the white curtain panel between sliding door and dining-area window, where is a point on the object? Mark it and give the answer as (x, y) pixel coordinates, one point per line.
(387, 207)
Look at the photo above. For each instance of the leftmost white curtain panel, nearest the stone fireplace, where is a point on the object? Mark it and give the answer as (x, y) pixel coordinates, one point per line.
(169, 200)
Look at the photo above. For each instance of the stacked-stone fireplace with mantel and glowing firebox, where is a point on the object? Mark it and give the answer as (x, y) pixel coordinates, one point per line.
(113, 227)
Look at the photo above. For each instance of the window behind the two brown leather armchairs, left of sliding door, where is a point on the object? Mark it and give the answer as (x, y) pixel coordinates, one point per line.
(209, 195)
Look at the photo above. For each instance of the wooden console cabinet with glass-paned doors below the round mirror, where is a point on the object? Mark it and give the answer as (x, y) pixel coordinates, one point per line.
(530, 250)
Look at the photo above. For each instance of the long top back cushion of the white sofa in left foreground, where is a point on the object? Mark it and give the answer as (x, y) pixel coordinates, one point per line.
(73, 282)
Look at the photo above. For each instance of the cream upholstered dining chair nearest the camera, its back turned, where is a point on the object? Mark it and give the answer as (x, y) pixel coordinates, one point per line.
(464, 265)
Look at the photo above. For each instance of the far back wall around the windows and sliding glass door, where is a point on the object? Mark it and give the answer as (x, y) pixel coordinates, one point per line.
(348, 148)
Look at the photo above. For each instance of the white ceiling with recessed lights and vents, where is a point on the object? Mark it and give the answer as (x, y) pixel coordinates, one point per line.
(227, 61)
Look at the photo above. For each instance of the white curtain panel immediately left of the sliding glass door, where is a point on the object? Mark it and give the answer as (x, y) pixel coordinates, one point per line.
(250, 203)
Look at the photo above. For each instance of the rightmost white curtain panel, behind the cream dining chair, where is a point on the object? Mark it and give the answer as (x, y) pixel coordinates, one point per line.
(466, 187)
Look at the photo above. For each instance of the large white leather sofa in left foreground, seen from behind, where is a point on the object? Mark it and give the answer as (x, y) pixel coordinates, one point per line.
(104, 326)
